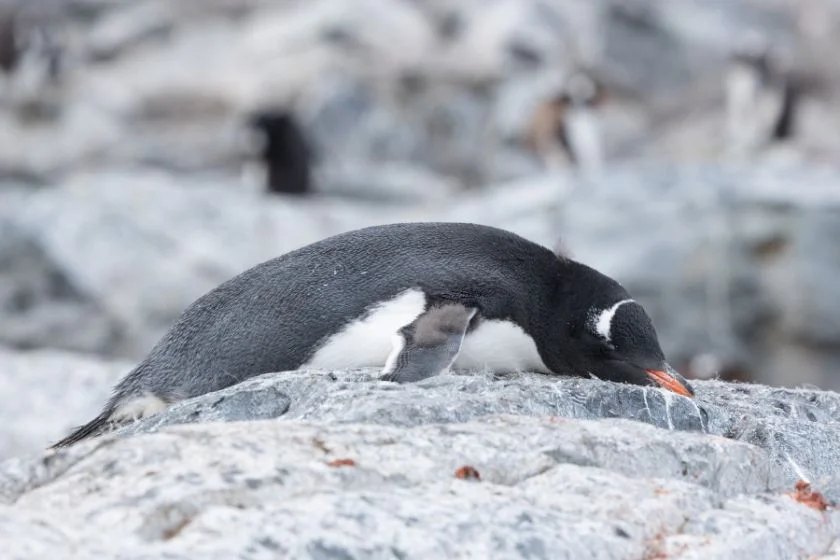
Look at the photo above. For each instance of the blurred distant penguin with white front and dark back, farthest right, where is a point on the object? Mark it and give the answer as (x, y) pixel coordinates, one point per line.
(761, 100)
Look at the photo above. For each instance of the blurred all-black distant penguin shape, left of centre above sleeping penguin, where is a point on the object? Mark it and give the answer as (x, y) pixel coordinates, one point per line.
(284, 153)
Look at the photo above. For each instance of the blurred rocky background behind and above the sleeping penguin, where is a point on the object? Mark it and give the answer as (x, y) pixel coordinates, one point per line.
(150, 149)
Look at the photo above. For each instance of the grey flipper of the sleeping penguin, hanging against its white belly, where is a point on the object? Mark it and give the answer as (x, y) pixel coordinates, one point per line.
(428, 345)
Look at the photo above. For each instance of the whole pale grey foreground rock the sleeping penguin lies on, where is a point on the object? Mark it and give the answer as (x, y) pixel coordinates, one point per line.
(356, 468)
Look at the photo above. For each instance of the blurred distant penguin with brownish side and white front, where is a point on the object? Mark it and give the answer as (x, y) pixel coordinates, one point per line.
(566, 129)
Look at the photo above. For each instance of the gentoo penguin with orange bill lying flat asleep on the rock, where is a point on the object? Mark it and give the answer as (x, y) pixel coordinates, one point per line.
(477, 296)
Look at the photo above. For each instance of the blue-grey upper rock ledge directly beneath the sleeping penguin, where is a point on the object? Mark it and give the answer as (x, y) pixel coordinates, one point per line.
(777, 420)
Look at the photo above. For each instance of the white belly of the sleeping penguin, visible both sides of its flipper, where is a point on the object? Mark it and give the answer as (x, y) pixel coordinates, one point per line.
(498, 346)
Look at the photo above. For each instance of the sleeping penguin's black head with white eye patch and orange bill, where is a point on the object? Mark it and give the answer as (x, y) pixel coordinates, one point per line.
(617, 342)
